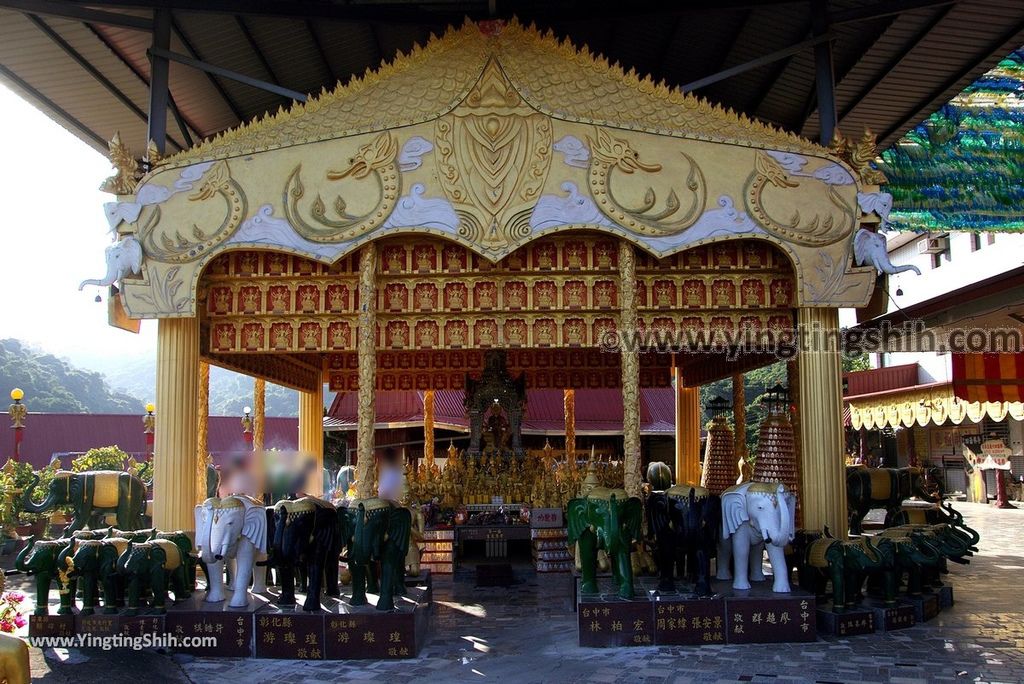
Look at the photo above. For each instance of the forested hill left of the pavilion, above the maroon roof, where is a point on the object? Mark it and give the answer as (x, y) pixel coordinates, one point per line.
(53, 386)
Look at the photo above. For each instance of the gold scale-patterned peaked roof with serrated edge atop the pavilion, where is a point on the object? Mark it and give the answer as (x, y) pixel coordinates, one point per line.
(551, 76)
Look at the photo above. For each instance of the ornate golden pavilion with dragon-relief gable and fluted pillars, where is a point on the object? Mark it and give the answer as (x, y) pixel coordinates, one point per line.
(496, 189)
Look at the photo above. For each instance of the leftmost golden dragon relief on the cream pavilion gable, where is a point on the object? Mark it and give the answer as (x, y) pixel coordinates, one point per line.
(180, 248)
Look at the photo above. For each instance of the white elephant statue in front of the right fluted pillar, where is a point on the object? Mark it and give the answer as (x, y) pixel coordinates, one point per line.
(756, 517)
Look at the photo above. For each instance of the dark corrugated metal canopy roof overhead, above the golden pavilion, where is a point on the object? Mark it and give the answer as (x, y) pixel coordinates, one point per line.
(891, 72)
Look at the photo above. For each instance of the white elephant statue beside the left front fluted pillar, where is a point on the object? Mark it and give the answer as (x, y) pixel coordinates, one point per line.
(232, 530)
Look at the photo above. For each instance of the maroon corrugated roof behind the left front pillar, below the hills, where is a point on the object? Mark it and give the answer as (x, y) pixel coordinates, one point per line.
(57, 435)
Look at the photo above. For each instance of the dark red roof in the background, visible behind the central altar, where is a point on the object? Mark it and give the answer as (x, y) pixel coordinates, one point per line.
(598, 411)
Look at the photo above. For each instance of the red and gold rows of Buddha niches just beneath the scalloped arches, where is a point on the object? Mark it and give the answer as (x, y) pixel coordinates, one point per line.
(557, 293)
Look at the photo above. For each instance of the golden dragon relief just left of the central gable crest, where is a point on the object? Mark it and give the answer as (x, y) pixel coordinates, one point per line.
(377, 159)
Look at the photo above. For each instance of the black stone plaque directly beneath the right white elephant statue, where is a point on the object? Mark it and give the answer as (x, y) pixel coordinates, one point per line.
(771, 619)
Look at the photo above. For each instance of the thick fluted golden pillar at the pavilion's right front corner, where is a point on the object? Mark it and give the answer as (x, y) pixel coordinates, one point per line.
(820, 390)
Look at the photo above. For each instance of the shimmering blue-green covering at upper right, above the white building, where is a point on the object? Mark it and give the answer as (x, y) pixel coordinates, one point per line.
(963, 168)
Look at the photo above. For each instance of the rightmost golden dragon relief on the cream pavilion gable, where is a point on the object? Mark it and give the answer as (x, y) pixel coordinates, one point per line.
(770, 180)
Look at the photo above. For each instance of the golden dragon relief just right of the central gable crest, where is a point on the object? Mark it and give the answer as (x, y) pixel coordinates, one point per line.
(611, 155)
